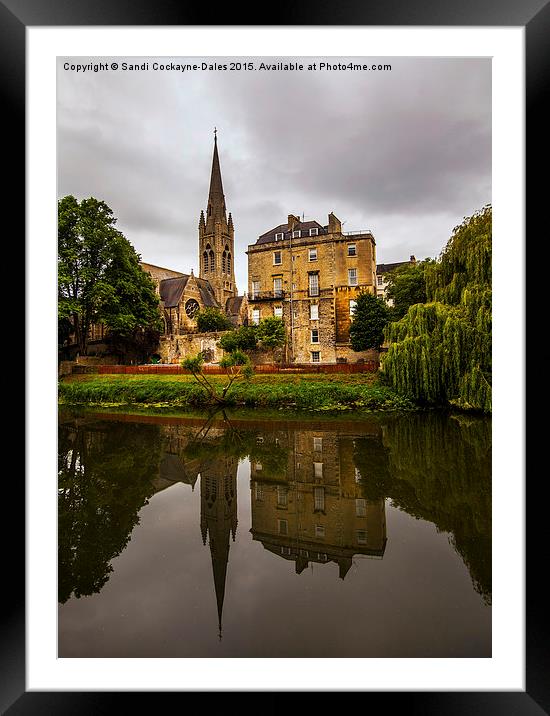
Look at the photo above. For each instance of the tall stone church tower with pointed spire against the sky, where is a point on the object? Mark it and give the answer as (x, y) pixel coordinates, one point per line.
(216, 250)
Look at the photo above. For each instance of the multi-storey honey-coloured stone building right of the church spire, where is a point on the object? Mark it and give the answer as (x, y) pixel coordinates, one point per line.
(310, 275)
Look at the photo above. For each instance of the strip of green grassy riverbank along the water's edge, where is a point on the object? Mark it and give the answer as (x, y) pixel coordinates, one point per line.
(311, 392)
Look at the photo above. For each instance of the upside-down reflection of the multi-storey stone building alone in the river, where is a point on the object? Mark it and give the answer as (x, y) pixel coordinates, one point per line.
(315, 511)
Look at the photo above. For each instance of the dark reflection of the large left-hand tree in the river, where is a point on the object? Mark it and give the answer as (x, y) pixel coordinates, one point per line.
(106, 475)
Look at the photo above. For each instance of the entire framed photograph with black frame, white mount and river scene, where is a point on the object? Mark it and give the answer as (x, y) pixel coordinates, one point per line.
(370, 550)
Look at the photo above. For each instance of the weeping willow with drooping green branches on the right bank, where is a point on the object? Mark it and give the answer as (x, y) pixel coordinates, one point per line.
(440, 351)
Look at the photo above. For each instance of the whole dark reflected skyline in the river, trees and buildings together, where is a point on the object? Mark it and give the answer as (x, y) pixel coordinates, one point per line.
(317, 495)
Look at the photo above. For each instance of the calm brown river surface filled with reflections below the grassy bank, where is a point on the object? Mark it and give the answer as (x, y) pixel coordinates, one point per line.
(235, 537)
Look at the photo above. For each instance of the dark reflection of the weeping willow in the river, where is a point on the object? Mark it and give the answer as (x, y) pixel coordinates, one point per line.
(437, 468)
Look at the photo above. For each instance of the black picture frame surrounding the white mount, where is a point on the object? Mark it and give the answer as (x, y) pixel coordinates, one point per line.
(534, 16)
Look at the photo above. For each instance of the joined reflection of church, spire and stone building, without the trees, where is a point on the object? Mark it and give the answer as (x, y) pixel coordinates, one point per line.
(307, 497)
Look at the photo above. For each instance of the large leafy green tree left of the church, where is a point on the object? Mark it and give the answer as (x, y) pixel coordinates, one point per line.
(99, 276)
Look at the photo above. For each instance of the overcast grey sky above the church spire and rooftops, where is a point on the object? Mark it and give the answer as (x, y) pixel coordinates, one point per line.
(405, 153)
